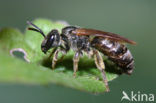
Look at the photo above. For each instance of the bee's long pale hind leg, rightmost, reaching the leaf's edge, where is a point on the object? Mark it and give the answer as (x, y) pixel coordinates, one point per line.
(101, 66)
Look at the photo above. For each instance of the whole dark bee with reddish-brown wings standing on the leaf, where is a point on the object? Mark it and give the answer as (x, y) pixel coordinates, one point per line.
(89, 41)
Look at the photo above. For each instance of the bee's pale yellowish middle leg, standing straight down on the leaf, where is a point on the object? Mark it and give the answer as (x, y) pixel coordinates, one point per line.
(75, 60)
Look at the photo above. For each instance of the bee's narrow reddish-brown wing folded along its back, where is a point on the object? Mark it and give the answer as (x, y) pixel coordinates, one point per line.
(112, 36)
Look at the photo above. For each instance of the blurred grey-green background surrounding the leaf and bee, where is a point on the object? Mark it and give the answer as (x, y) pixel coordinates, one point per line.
(134, 19)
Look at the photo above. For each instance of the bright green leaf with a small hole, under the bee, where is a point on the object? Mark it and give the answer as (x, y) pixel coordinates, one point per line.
(38, 70)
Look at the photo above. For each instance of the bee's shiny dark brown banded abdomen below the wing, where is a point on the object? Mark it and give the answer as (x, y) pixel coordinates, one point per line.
(116, 52)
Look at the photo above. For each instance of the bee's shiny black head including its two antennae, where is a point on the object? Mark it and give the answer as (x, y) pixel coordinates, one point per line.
(50, 41)
